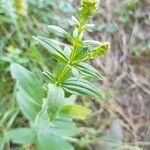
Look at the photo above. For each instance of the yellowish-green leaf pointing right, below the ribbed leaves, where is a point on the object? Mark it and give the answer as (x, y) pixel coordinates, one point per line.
(75, 111)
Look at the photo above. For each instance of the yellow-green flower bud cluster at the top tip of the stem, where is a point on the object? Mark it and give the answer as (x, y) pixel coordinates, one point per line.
(89, 7)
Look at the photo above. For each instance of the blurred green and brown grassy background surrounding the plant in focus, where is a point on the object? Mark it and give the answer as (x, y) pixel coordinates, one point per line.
(122, 121)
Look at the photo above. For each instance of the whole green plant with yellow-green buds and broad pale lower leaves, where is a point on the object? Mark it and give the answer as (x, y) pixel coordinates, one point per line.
(48, 110)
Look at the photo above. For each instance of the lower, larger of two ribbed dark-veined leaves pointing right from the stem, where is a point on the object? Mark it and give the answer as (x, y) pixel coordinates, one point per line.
(81, 87)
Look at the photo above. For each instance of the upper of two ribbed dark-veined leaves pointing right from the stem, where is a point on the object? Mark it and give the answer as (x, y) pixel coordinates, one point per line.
(88, 70)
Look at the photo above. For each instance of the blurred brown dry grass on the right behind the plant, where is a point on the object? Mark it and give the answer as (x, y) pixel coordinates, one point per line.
(126, 76)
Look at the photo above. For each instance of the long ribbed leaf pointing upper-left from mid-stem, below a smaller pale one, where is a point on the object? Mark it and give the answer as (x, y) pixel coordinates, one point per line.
(54, 49)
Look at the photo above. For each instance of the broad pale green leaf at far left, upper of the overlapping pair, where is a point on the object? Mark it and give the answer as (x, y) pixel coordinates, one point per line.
(29, 82)
